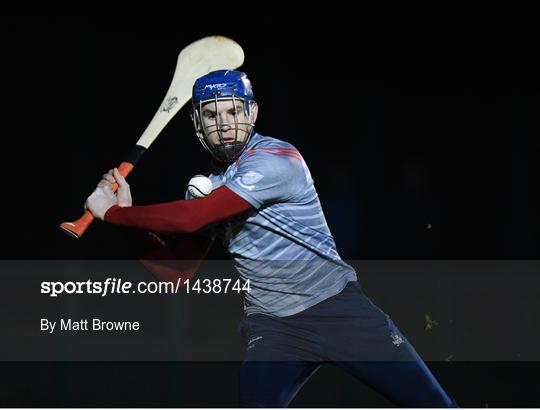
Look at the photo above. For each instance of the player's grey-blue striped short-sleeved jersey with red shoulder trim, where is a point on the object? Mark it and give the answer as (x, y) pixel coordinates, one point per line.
(284, 246)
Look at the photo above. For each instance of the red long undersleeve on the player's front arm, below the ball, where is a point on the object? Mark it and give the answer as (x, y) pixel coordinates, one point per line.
(181, 216)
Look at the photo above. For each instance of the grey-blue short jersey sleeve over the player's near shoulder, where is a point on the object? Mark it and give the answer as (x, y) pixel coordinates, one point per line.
(269, 176)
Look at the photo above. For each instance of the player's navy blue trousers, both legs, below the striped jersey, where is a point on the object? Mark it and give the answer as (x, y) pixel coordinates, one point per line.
(346, 330)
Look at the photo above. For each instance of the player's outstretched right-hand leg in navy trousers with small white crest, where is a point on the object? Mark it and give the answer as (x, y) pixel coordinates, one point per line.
(367, 344)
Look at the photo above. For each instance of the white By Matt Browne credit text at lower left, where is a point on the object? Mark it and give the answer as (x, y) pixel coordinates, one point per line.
(88, 325)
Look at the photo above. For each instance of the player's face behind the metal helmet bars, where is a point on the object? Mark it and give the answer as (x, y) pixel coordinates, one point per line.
(225, 122)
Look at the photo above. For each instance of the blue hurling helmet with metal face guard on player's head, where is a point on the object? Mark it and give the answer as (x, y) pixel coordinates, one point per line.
(217, 86)
